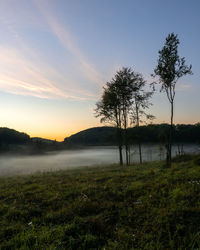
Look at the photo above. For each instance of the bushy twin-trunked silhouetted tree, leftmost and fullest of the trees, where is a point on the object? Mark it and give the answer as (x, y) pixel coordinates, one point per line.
(115, 105)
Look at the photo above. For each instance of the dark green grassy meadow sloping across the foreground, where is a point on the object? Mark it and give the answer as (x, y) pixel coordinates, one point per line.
(136, 207)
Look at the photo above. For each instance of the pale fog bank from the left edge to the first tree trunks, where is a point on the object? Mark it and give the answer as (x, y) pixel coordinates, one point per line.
(67, 159)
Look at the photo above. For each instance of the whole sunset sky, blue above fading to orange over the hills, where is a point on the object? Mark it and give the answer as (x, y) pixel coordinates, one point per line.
(56, 56)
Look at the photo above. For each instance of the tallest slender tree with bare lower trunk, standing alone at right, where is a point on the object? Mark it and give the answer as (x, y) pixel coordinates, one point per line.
(169, 69)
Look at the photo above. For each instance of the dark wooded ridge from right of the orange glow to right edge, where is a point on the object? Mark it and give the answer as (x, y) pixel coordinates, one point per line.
(157, 133)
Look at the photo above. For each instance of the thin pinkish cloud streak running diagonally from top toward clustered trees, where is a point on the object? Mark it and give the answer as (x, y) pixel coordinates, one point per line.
(69, 43)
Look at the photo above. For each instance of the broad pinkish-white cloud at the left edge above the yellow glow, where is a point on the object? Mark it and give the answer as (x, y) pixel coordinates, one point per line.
(19, 75)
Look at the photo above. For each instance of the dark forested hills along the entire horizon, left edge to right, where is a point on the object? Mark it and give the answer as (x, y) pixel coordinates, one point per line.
(18, 142)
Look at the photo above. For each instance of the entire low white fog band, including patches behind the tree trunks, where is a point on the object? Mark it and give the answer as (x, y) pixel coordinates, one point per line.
(68, 159)
